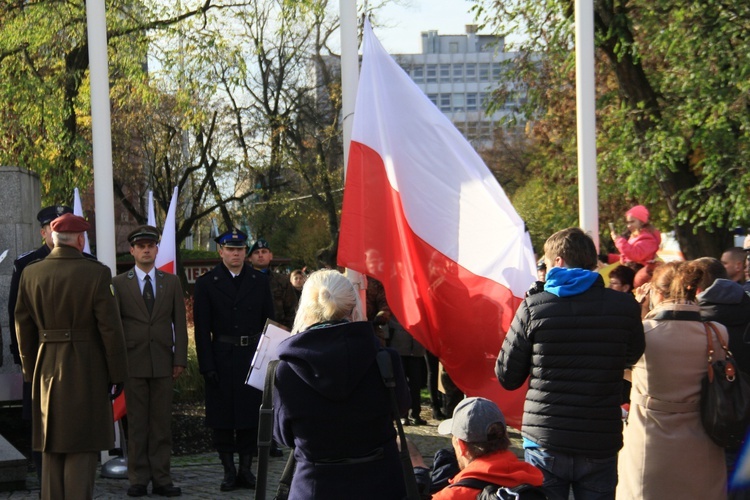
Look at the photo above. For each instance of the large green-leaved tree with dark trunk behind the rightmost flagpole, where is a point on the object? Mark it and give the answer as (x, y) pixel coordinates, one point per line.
(672, 107)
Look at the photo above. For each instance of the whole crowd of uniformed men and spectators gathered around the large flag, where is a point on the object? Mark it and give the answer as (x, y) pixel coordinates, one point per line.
(612, 371)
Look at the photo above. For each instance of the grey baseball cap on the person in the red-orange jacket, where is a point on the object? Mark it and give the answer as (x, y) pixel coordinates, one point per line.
(471, 420)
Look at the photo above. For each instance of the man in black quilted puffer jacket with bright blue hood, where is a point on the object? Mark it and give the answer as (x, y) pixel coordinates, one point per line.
(574, 338)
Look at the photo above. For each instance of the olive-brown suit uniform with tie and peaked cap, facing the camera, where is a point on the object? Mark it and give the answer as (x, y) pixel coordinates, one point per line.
(156, 343)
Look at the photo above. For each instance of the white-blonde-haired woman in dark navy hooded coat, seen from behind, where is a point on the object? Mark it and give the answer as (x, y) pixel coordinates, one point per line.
(331, 404)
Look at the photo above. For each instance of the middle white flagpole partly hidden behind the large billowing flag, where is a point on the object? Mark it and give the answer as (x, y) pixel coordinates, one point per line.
(349, 82)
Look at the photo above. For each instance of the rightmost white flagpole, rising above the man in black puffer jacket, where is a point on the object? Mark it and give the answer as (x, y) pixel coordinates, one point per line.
(588, 207)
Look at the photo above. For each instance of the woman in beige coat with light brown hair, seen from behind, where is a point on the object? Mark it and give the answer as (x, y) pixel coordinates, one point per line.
(666, 451)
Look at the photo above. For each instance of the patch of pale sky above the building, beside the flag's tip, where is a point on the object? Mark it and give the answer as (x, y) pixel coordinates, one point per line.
(400, 26)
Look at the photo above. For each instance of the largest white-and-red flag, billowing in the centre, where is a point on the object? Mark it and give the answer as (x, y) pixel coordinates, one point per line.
(425, 216)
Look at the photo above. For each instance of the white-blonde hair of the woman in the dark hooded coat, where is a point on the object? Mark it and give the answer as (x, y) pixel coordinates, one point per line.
(327, 296)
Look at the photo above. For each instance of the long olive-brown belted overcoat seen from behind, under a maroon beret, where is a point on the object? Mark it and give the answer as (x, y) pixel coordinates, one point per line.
(72, 348)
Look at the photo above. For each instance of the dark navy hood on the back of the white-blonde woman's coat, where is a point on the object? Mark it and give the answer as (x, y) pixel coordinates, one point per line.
(331, 358)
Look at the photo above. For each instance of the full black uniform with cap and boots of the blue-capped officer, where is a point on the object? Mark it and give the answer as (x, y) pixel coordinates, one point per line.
(229, 314)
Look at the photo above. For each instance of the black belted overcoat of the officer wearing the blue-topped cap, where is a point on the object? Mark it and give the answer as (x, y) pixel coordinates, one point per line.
(224, 312)
